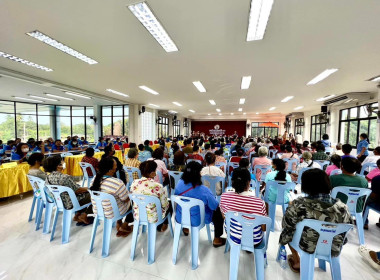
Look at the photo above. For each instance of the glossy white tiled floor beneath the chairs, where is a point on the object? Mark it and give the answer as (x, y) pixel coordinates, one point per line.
(28, 254)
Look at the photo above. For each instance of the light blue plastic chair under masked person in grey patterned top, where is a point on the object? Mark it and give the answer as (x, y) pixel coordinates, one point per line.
(67, 213)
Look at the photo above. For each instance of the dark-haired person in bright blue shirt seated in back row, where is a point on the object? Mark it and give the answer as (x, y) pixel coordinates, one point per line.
(191, 186)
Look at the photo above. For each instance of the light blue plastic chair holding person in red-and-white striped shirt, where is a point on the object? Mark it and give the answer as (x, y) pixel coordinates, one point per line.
(248, 223)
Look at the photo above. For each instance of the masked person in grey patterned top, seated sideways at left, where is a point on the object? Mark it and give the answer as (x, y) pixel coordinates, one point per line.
(55, 166)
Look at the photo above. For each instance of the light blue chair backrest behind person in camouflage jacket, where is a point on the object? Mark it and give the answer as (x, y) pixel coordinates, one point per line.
(327, 231)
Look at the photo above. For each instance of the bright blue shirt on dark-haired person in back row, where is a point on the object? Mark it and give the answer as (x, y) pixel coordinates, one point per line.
(202, 193)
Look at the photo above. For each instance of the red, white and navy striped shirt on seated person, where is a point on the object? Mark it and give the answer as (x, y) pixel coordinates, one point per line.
(244, 202)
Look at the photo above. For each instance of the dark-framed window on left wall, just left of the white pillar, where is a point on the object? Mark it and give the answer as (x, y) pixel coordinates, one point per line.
(115, 120)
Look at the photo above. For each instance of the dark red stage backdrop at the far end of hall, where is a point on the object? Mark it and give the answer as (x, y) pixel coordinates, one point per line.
(229, 126)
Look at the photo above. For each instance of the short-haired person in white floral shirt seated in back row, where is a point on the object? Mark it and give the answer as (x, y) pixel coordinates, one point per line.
(148, 186)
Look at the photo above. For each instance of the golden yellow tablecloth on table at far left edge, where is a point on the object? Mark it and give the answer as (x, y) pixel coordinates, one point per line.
(13, 179)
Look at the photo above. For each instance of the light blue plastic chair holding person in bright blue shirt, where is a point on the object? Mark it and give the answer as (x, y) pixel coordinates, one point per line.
(186, 203)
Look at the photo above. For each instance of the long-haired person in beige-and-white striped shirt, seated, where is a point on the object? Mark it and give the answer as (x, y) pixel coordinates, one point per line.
(105, 182)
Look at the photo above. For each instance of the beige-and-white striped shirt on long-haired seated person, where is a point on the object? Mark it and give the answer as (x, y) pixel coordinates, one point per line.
(116, 188)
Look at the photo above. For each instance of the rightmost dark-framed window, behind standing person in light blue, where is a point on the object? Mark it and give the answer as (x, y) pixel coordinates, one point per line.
(355, 121)
